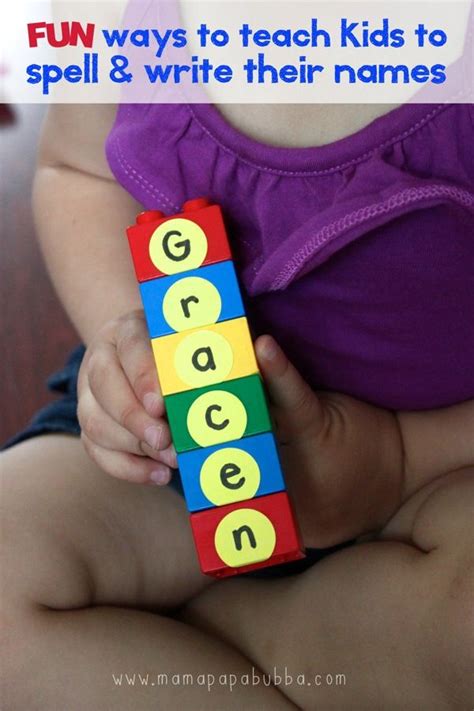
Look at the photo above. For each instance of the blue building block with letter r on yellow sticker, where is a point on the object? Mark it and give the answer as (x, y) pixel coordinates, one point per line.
(191, 299)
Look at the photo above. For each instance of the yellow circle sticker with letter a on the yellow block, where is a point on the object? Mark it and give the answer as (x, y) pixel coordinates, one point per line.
(203, 358)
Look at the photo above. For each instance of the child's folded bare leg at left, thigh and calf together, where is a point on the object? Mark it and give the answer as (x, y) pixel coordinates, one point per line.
(90, 564)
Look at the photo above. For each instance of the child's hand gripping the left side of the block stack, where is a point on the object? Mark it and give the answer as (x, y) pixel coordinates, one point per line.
(121, 410)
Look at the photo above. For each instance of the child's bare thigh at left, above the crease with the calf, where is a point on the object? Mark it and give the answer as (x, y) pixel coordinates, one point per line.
(76, 537)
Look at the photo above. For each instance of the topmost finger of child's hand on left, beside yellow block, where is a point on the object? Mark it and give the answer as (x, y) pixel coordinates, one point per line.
(136, 358)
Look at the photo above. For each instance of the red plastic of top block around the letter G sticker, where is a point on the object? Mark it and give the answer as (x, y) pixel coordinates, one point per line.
(200, 211)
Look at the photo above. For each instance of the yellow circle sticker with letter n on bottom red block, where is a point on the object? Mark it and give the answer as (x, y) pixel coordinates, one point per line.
(244, 537)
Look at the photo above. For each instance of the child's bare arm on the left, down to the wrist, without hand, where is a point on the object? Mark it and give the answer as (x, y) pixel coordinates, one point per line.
(80, 213)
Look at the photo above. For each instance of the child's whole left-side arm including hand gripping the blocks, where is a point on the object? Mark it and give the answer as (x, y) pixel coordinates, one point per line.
(81, 213)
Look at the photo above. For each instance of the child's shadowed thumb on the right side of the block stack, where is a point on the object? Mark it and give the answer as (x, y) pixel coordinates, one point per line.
(289, 393)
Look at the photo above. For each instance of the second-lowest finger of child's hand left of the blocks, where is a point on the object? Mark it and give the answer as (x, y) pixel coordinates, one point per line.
(101, 429)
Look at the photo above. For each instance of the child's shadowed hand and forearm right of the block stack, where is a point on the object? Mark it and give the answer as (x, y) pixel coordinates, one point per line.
(350, 465)
